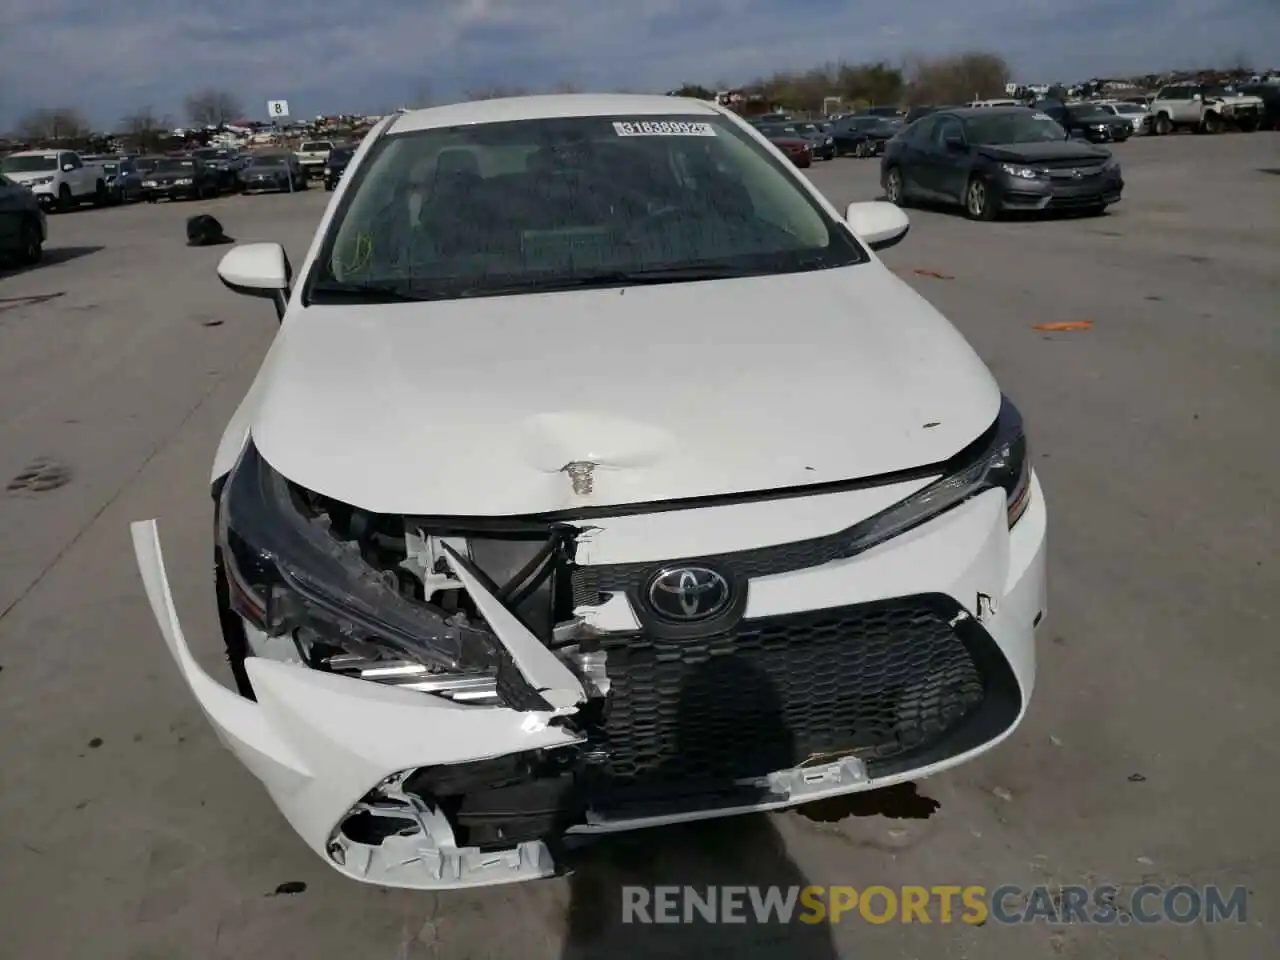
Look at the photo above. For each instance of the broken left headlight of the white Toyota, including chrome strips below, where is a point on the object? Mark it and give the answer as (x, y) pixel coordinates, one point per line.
(327, 578)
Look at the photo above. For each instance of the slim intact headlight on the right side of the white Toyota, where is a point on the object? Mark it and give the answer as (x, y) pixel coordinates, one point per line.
(998, 460)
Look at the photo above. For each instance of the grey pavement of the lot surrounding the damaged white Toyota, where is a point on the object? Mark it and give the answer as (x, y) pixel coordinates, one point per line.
(127, 833)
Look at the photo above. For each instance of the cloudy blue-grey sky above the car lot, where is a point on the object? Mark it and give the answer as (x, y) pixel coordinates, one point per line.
(374, 56)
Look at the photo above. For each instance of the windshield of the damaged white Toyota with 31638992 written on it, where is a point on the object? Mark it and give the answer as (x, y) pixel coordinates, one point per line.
(569, 203)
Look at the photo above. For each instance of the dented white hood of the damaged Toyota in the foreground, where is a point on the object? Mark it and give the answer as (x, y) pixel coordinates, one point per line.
(476, 408)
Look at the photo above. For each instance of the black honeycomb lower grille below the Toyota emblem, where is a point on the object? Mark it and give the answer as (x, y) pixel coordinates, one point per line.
(892, 683)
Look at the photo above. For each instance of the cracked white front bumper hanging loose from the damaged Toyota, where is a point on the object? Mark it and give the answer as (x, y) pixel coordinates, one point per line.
(322, 743)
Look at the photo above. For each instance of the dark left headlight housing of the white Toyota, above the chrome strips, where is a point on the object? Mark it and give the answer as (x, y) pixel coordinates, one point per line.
(289, 575)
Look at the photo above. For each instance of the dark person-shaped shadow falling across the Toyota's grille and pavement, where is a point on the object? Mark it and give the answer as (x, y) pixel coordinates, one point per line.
(730, 701)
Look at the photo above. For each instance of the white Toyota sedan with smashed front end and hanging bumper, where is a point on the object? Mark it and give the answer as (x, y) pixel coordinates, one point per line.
(601, 477)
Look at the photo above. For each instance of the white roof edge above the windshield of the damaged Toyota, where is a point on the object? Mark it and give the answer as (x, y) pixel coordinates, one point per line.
(548, 107)
